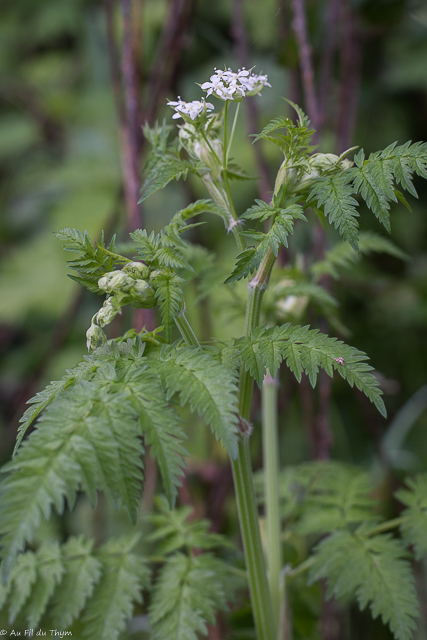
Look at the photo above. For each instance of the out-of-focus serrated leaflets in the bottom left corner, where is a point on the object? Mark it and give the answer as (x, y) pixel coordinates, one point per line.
(74, 580)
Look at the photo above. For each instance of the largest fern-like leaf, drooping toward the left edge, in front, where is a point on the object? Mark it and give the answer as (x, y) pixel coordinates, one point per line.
(74, 447)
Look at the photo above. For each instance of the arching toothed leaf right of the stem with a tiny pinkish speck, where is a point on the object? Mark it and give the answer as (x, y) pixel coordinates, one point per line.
(306, 350)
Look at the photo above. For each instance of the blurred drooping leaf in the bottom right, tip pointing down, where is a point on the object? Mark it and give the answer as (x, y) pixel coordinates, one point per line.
(374, 570)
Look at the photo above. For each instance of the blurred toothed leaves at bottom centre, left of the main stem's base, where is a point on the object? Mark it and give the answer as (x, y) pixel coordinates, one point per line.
(190, 588)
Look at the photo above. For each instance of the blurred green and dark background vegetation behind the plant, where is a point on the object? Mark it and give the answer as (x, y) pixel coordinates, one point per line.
(60, 166)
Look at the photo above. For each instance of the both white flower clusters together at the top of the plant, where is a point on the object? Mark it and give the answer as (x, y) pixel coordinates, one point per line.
(225, 85)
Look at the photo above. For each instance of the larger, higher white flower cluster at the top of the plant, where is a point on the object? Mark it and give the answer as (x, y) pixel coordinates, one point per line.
(228, 85)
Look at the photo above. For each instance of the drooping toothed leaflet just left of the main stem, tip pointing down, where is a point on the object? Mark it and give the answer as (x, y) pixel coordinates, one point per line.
(207, 386)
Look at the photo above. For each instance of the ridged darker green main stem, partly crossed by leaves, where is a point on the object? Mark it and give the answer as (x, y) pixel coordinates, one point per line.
(259, 587)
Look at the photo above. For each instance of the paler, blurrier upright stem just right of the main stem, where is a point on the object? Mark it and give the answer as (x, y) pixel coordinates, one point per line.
(271, 477)
